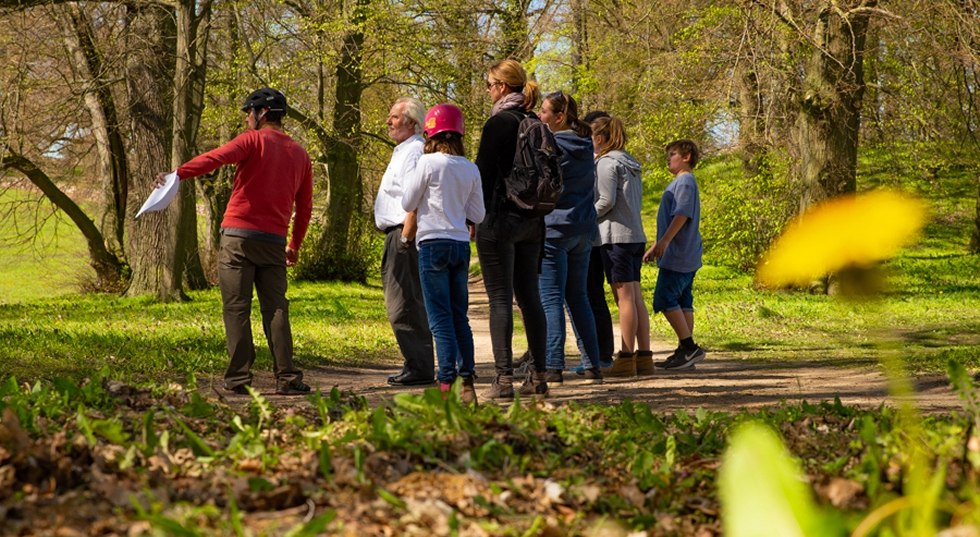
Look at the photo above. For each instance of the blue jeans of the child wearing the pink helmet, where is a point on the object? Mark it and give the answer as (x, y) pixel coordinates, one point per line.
(444, 268)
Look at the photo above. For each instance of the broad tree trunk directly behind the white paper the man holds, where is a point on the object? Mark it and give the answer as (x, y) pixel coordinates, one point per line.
(152, 239)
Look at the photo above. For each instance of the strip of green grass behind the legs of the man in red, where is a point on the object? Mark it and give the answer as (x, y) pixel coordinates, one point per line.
(137, 337)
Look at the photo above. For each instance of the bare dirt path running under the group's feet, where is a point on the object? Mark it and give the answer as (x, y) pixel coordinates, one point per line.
(718, 383)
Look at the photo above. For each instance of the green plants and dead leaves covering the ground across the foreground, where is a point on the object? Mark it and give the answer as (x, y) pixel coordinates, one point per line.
(624, 462)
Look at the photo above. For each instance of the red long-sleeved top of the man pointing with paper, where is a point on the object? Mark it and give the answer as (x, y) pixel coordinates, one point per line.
(273, 174)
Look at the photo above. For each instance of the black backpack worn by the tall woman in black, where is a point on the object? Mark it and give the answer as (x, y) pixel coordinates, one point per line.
(534, 184)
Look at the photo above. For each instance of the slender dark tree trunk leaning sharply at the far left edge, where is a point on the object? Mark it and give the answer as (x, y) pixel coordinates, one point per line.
(108, 267)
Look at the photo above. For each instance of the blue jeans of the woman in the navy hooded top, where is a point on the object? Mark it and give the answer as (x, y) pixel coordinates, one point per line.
(564, 275)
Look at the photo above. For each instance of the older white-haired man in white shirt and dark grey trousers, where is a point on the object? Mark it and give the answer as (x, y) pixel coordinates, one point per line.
(399, 264)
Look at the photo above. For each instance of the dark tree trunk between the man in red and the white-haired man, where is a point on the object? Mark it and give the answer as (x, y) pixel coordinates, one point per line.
(338, 254)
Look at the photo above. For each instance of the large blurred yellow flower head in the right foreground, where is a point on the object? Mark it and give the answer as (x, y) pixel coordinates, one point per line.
(848, 231)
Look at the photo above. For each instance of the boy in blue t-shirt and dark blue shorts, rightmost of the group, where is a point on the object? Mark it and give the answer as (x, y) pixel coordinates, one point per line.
(678, 252)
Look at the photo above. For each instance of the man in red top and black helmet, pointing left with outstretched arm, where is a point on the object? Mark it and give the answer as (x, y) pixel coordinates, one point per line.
(273, 176)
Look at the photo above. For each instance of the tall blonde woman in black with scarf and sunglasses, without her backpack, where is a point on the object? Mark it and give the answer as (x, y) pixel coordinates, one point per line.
(509, 242)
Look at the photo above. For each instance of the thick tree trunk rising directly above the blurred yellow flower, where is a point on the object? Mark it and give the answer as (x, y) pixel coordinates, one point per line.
(829, 119)
